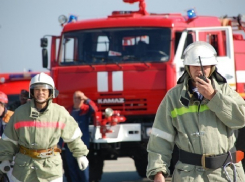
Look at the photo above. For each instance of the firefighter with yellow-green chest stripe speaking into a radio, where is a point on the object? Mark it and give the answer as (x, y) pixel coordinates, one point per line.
(199, 115)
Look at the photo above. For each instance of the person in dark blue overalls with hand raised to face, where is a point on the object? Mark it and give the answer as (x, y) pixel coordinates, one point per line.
(82, 110)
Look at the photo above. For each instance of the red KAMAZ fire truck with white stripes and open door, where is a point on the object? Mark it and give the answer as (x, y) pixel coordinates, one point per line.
(129, 60)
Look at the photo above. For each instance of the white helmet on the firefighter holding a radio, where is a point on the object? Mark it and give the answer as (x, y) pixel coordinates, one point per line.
(203, 49)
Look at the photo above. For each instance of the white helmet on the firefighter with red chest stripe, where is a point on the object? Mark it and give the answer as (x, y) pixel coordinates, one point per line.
(45, 81)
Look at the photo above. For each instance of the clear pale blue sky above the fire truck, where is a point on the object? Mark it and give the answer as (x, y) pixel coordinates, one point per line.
(24, 22)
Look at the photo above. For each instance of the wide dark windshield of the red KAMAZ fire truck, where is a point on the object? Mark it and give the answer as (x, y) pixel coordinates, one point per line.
(120, 45)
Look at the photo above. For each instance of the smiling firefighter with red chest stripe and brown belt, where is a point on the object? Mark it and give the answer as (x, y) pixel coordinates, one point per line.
(33, 132)
